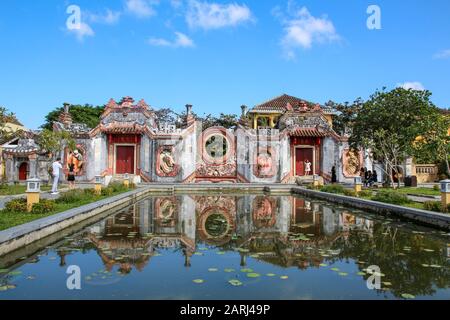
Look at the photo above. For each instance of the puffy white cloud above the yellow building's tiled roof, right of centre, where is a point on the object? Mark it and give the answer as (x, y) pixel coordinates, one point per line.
(302, 30)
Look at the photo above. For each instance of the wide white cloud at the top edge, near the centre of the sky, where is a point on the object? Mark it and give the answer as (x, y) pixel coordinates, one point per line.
(205, 15)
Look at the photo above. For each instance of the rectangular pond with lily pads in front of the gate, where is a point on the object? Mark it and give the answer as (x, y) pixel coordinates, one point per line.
(237, 247)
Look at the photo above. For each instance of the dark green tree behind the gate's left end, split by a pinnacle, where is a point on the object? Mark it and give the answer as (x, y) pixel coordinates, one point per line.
(86, 114)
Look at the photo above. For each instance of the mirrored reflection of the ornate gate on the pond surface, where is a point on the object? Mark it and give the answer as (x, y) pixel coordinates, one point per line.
(280, 230)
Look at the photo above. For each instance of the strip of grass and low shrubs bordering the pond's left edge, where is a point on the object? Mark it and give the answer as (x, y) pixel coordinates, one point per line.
(12, 219)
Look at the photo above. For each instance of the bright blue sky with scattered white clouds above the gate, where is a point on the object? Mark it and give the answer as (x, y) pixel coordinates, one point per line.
(217, 55)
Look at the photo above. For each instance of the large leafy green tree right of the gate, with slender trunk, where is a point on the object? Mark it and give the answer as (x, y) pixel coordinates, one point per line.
(389, 123)
